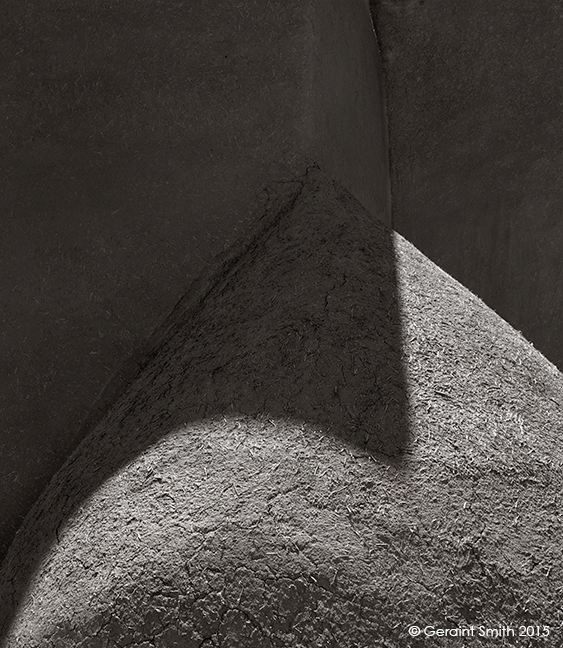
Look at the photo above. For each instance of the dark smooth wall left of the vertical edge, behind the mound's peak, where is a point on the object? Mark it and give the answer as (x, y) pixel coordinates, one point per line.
(137, 140)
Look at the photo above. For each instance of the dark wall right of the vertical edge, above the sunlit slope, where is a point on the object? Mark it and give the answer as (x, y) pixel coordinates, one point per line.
(475, 102)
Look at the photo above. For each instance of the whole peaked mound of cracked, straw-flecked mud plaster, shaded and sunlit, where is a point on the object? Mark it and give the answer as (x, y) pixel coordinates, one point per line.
(334, 441)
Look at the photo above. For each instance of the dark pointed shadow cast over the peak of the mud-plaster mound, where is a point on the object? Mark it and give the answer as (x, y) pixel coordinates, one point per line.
(302, 322)
